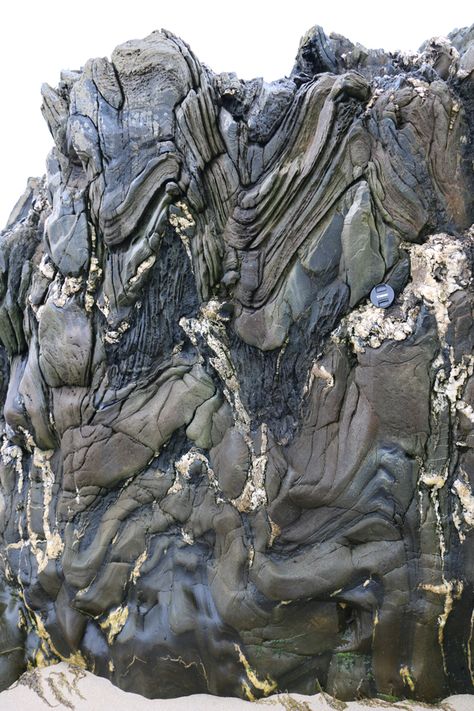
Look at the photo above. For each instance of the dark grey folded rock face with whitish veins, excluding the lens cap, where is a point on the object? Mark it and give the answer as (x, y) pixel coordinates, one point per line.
(224, 468)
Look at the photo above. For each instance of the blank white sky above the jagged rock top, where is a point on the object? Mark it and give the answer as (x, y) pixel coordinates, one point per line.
(251, 37)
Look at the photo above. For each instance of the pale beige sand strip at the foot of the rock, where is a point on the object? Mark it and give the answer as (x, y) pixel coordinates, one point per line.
(83, 691)
